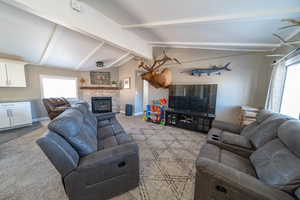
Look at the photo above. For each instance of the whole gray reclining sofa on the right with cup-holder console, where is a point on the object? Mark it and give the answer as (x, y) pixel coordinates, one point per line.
(259, 162)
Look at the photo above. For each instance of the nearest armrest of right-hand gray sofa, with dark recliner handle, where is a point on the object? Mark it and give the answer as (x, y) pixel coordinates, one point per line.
(217, 181)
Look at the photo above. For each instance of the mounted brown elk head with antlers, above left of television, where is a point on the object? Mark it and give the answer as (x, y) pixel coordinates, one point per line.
(153, 76)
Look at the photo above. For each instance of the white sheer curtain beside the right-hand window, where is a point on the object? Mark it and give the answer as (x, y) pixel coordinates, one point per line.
(276, 87)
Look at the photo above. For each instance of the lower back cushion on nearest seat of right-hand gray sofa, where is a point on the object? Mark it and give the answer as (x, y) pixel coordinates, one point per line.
(275, 165)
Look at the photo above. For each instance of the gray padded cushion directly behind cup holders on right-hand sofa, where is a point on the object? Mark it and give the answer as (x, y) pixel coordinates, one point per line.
(236, 140)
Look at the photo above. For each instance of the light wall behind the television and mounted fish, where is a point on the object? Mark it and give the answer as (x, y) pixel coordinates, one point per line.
(246, 84)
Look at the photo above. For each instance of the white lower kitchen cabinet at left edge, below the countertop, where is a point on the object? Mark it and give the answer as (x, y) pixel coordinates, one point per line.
(13, 115)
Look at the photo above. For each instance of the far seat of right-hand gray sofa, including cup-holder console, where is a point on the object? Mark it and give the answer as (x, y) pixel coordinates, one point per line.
(245, 140)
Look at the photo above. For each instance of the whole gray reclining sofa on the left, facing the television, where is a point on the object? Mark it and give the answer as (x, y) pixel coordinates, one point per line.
(94, 155)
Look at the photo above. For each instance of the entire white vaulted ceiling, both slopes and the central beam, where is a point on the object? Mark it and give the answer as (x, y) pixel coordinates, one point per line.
(50, 32)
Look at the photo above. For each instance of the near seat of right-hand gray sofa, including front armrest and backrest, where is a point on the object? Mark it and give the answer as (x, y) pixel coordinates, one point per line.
(272, 172)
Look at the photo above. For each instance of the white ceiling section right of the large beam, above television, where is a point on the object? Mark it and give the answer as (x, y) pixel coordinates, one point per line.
(210, 24)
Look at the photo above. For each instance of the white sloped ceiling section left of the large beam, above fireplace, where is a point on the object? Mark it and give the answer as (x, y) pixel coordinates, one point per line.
(39, 41)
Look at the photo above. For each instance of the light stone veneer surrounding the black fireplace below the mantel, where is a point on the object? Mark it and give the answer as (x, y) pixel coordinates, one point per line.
(115, 94)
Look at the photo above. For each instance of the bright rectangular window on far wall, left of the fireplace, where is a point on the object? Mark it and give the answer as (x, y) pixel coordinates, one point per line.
(58, 86)
